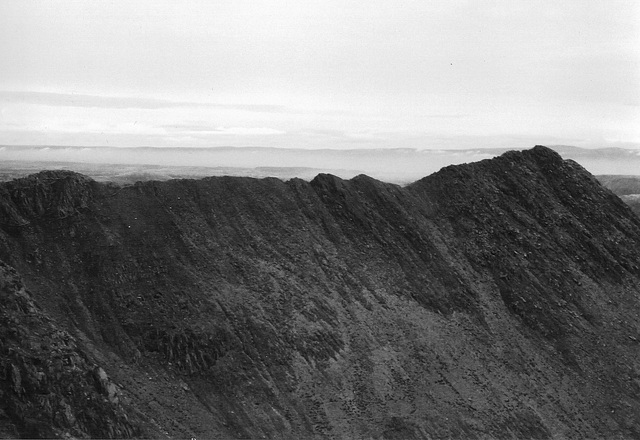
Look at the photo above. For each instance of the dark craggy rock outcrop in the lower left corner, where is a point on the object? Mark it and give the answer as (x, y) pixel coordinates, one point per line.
(48, 389)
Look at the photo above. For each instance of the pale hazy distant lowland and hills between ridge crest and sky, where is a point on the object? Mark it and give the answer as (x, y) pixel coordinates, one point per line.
(395, 165)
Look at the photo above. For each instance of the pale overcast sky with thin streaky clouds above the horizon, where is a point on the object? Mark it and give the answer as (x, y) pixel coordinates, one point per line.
(320, 74)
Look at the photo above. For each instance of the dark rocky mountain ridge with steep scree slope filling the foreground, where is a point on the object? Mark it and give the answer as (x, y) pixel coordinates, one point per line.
(497, 299)
